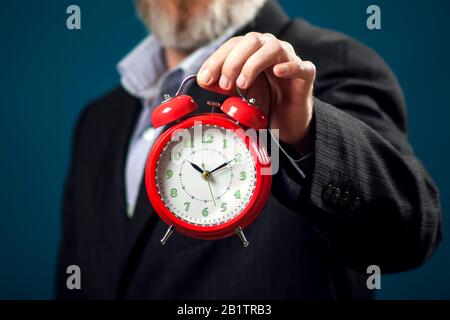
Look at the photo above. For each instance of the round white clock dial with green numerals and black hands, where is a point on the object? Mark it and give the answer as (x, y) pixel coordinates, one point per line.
(188, 184)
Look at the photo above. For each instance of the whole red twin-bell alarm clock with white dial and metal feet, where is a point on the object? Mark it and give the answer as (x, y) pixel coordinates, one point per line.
(205, 176)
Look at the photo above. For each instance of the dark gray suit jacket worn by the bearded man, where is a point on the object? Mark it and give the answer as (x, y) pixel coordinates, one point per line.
(366, 199)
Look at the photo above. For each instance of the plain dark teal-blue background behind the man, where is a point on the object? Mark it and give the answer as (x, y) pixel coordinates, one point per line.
(49, 73)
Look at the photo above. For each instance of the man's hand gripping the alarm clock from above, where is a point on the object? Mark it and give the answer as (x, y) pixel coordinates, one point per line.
(240, 62)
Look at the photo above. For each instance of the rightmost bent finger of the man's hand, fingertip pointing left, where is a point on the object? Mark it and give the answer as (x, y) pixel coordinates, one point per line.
(305, 70)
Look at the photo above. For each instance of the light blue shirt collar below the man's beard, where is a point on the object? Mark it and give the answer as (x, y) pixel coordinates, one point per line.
(144, 68)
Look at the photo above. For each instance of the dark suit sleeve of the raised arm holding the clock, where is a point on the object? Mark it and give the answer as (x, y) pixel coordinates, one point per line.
(365, 192)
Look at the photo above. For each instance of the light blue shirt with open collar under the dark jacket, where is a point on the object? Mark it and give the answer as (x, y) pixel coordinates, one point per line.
(144, 75)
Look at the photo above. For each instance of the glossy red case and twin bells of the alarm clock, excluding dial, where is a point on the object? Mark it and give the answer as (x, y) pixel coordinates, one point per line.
(238, 113)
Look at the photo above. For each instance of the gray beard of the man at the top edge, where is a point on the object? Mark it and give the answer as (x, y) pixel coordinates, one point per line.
(196, 30)
